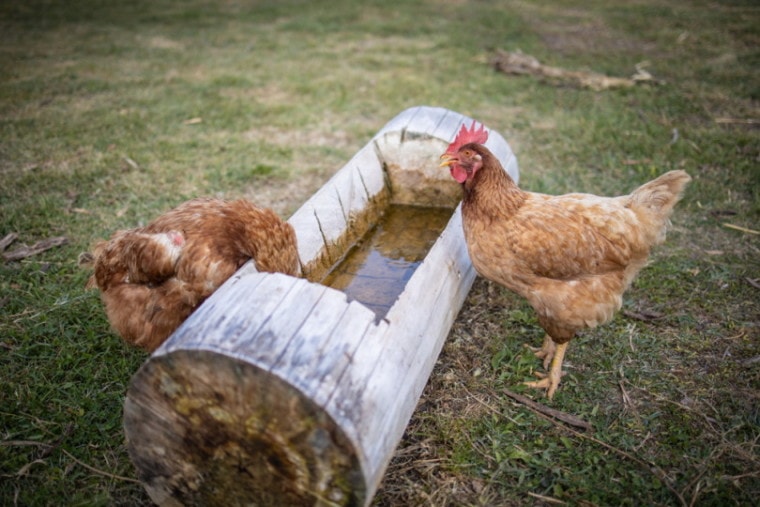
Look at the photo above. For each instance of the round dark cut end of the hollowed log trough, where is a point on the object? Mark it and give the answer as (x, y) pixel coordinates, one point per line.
(207, 429)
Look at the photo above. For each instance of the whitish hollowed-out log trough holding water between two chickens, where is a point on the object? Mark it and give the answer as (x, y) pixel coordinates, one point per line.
(283, 391)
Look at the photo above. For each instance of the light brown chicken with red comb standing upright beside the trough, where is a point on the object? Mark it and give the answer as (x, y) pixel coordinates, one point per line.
(571, 256)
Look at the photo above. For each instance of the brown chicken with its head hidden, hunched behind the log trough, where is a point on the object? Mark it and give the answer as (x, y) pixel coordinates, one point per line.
(152, 278)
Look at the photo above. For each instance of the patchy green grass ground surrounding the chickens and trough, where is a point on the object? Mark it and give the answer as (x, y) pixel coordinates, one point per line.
(96, 100)
